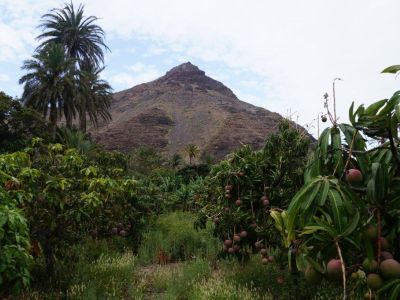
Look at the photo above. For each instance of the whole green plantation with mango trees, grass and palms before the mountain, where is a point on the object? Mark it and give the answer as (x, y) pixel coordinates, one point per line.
(298, 218)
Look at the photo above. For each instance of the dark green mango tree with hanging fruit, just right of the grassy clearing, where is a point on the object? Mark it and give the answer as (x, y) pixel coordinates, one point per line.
(240, 191)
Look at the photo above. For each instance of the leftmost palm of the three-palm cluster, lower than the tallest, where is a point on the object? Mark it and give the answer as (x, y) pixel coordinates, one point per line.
(48, 84)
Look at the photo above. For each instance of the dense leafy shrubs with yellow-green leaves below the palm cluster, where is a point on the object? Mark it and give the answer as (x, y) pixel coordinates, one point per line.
(64, 196)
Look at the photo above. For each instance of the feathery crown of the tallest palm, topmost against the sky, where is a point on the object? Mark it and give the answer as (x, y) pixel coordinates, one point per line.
(82, 39)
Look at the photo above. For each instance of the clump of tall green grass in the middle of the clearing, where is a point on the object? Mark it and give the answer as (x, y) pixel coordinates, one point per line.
(172, 238)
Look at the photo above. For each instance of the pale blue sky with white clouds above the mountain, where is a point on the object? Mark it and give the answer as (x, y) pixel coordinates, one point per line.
(280, 55)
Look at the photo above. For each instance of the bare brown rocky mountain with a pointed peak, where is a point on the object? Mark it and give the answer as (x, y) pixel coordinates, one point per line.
(183, 107)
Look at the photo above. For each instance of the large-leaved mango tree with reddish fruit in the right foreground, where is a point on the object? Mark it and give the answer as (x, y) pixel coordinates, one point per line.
(345, 219)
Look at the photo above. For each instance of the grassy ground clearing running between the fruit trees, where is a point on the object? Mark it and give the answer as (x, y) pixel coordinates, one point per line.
(106, 269)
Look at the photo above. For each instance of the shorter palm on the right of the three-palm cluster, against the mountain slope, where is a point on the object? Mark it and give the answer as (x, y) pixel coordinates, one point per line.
(94, 95)
